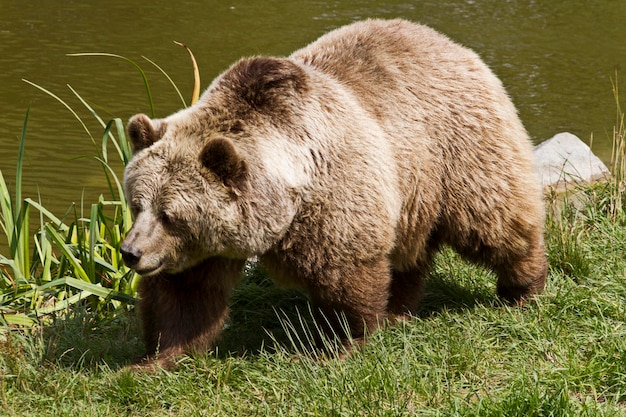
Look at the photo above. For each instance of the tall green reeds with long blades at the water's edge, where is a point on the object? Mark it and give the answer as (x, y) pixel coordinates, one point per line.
(76, 261)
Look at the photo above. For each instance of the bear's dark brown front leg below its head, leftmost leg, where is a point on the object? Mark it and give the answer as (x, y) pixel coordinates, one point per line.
(185, 312)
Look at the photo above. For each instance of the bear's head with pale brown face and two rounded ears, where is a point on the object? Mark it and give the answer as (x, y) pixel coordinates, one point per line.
(183, 198)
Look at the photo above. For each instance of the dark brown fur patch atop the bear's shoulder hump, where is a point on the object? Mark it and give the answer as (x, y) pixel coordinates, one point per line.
(262, 80)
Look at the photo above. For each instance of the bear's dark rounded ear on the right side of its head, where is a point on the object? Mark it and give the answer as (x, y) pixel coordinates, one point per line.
(220, 157)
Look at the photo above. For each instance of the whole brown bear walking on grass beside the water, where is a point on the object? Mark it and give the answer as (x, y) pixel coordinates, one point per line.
(344, 168)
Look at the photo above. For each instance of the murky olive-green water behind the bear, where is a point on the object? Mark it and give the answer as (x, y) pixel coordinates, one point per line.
(555, 57)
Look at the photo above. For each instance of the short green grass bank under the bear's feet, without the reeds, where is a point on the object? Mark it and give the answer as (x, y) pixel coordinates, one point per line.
(464, 354)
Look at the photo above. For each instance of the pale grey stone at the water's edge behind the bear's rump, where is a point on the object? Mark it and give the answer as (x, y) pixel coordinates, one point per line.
(565, 160)
